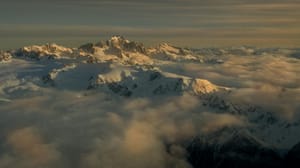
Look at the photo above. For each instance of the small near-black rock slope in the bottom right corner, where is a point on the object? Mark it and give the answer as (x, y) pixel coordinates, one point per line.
(293, 157)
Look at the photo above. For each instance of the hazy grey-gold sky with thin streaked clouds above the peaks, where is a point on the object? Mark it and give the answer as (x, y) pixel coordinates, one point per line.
(194, 23)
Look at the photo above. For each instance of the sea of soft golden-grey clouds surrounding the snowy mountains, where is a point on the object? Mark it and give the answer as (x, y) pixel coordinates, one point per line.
(47, 127)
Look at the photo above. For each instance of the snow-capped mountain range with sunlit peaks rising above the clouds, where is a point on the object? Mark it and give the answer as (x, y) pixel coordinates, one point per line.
(124, 69)
